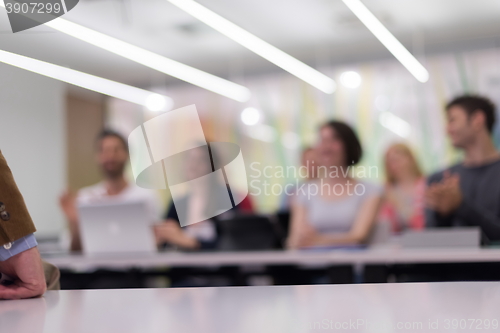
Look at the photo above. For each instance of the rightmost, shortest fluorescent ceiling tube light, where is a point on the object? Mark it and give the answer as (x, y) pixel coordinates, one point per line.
(388, 39)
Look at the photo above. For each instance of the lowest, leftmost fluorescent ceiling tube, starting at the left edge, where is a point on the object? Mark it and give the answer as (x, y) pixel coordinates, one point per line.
(153, 101)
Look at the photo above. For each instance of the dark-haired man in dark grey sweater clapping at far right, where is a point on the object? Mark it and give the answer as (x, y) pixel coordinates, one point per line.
(468, 193)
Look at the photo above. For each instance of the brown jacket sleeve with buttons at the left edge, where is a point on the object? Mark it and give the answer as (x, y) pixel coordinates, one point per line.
(15, 221)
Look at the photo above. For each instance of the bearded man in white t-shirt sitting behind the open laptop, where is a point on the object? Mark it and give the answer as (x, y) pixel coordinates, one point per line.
(112, 156)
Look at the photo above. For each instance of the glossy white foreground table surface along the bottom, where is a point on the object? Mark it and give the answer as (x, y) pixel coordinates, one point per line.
(357, 308)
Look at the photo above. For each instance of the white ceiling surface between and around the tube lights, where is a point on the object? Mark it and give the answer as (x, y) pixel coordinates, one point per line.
(318, 32)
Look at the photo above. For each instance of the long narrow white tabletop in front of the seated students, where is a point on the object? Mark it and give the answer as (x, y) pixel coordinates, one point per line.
(356, 257)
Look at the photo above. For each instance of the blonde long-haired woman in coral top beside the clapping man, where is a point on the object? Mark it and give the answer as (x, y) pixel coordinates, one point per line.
(403, 202)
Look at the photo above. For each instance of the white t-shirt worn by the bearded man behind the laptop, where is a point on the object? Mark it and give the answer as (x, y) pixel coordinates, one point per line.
(132, 193)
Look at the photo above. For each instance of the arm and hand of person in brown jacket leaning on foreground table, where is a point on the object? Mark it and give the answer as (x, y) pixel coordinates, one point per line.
(21, 268)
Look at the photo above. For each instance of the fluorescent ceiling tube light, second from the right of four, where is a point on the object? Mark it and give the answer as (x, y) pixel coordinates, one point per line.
(257, 45)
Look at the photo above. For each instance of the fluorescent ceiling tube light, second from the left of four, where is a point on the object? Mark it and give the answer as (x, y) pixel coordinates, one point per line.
(152, 60)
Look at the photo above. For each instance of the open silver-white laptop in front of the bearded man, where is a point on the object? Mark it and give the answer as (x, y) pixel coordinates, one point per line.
(116, 227)
